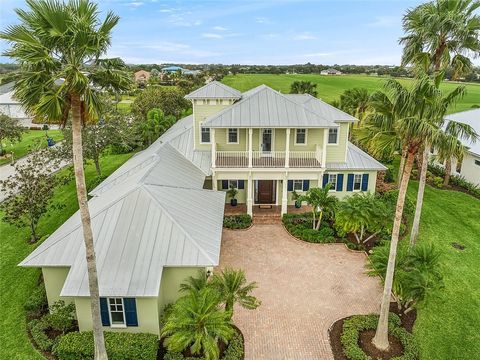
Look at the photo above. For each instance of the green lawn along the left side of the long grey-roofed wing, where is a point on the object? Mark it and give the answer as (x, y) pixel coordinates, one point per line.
(15, 282)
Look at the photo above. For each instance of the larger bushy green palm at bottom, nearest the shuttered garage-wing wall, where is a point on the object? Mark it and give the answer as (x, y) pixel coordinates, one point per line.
(197, 323)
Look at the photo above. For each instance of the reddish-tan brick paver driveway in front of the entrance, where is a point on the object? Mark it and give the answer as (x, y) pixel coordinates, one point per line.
(303, 287)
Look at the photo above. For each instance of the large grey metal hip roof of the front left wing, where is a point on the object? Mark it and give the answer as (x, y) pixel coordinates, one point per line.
(136, 234)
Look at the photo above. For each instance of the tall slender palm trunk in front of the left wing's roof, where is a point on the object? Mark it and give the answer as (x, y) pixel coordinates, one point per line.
(100, 352)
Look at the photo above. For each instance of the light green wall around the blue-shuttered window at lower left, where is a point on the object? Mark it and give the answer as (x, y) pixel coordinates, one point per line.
(147, 315)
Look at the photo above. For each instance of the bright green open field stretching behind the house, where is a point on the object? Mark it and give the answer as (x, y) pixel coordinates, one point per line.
(330, 87)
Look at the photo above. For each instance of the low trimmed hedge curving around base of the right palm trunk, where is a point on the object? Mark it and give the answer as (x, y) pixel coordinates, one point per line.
(358, 323)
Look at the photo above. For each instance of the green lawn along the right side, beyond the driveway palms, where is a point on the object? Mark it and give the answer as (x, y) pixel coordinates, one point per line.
(448, 326)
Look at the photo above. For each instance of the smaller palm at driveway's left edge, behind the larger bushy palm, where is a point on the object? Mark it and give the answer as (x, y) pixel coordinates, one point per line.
(233, 287)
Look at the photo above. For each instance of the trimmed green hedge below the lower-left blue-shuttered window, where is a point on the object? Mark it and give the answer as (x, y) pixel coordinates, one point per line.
(120, 346)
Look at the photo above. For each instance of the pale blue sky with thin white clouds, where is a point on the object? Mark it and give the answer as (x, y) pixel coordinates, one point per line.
(250, 32)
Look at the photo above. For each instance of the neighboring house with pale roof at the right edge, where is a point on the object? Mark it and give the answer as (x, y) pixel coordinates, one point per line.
(469, 167)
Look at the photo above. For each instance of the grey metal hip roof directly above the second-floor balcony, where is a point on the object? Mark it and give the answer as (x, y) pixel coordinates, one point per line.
(264, 107)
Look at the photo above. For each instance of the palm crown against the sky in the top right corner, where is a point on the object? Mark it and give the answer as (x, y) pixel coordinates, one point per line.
(440, 34)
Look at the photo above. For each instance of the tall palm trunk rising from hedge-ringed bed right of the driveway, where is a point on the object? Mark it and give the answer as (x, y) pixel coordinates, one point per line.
(381, 336)
